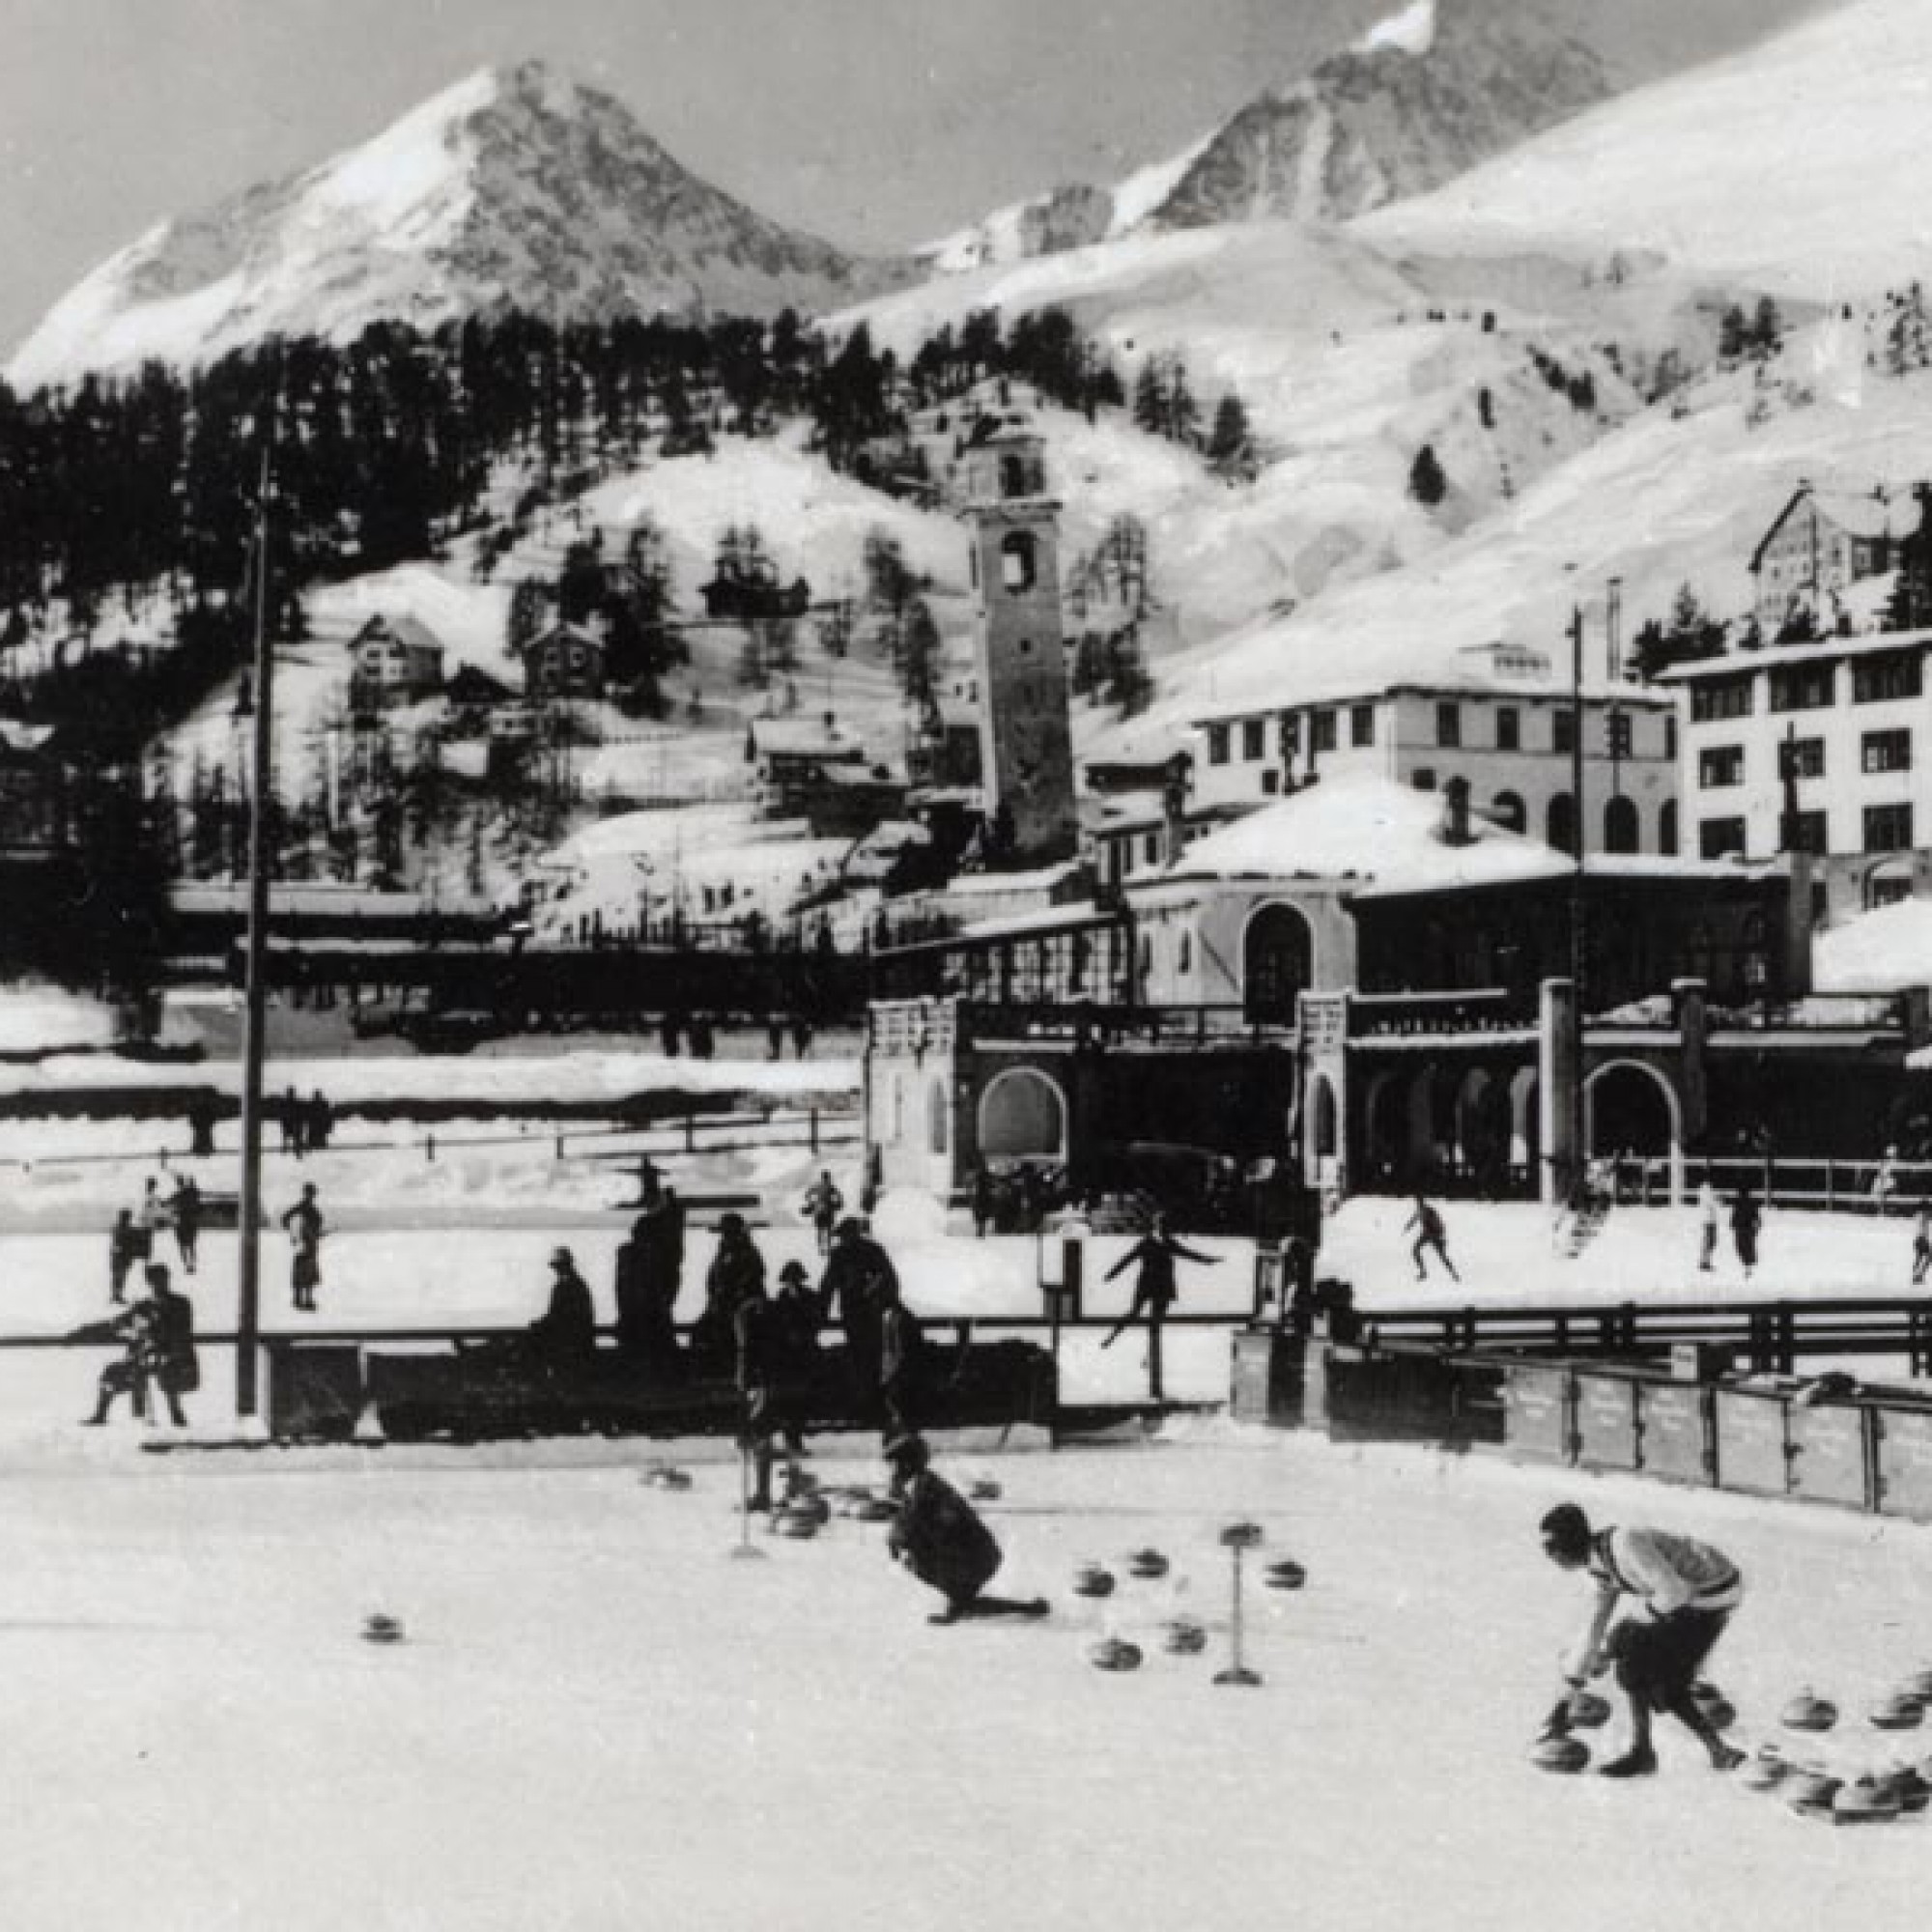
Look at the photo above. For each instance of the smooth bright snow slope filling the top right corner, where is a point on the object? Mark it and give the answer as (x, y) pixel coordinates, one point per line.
(1802, 163)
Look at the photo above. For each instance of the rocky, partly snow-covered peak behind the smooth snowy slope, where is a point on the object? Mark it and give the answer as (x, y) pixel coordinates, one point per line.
(1417, 101)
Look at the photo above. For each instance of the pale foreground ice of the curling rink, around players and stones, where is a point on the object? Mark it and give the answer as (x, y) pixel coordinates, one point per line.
(602, 1720)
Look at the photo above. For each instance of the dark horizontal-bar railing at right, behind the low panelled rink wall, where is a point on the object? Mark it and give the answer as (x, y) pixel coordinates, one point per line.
(1765, 1336)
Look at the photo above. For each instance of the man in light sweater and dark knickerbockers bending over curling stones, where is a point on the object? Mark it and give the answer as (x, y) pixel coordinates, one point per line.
(1688, 1591)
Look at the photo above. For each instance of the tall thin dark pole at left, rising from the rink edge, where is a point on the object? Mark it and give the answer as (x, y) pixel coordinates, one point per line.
(256, 1009)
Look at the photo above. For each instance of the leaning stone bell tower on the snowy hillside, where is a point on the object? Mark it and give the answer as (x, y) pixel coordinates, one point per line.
(1027, 756)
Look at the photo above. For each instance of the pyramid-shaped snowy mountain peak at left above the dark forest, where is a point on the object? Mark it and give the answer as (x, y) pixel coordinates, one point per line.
(515, 188)
